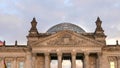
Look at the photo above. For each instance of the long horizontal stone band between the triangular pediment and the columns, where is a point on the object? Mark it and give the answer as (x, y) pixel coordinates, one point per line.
(65, 49)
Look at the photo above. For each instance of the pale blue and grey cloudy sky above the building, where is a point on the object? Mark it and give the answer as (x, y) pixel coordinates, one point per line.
(16, 15)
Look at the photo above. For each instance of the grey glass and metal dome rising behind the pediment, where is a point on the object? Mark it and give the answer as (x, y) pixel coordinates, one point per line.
(65, 26)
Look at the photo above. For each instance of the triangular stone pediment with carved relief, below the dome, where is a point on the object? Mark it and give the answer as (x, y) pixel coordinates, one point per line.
(67, 38)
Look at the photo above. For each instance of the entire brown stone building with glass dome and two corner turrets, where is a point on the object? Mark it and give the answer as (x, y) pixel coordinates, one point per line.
(64, 41)
